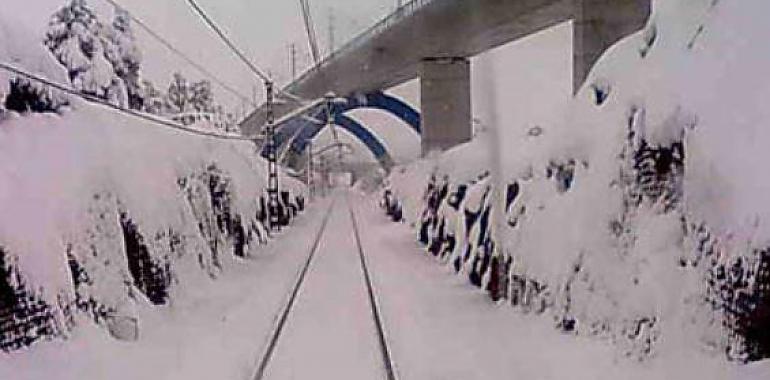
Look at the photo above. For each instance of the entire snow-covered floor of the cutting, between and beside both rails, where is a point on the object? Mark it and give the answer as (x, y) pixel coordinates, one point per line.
(436, 326)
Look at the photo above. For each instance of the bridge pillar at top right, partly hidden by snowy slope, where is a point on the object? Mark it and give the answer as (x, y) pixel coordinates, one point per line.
(597, 25)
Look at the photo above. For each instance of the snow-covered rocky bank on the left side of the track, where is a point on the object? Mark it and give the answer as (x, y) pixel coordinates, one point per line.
(102, 214)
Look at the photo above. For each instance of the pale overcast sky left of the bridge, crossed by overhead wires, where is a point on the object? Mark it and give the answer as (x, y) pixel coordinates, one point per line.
(264, 29)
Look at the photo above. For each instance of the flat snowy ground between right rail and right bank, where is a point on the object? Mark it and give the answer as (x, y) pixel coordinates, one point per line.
(440, 328)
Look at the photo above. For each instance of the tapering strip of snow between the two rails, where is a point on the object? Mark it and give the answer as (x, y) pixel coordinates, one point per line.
(330, 332)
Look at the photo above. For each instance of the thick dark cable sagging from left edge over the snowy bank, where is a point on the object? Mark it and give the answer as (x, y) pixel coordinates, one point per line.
(134, 113)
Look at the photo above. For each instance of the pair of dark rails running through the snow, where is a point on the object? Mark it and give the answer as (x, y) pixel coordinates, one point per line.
(285, 312)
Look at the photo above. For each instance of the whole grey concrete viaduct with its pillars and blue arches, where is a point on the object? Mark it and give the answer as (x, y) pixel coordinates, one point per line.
(433, 40)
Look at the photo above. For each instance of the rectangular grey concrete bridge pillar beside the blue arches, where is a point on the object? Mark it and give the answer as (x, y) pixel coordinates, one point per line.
(446, 103)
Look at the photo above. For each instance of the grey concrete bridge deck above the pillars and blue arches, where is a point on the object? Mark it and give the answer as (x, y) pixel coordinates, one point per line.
(390, 52)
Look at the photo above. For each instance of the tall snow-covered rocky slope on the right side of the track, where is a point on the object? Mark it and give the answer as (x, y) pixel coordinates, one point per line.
(641, 218)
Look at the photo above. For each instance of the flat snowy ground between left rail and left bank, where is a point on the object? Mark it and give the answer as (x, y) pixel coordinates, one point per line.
(216, 331)
